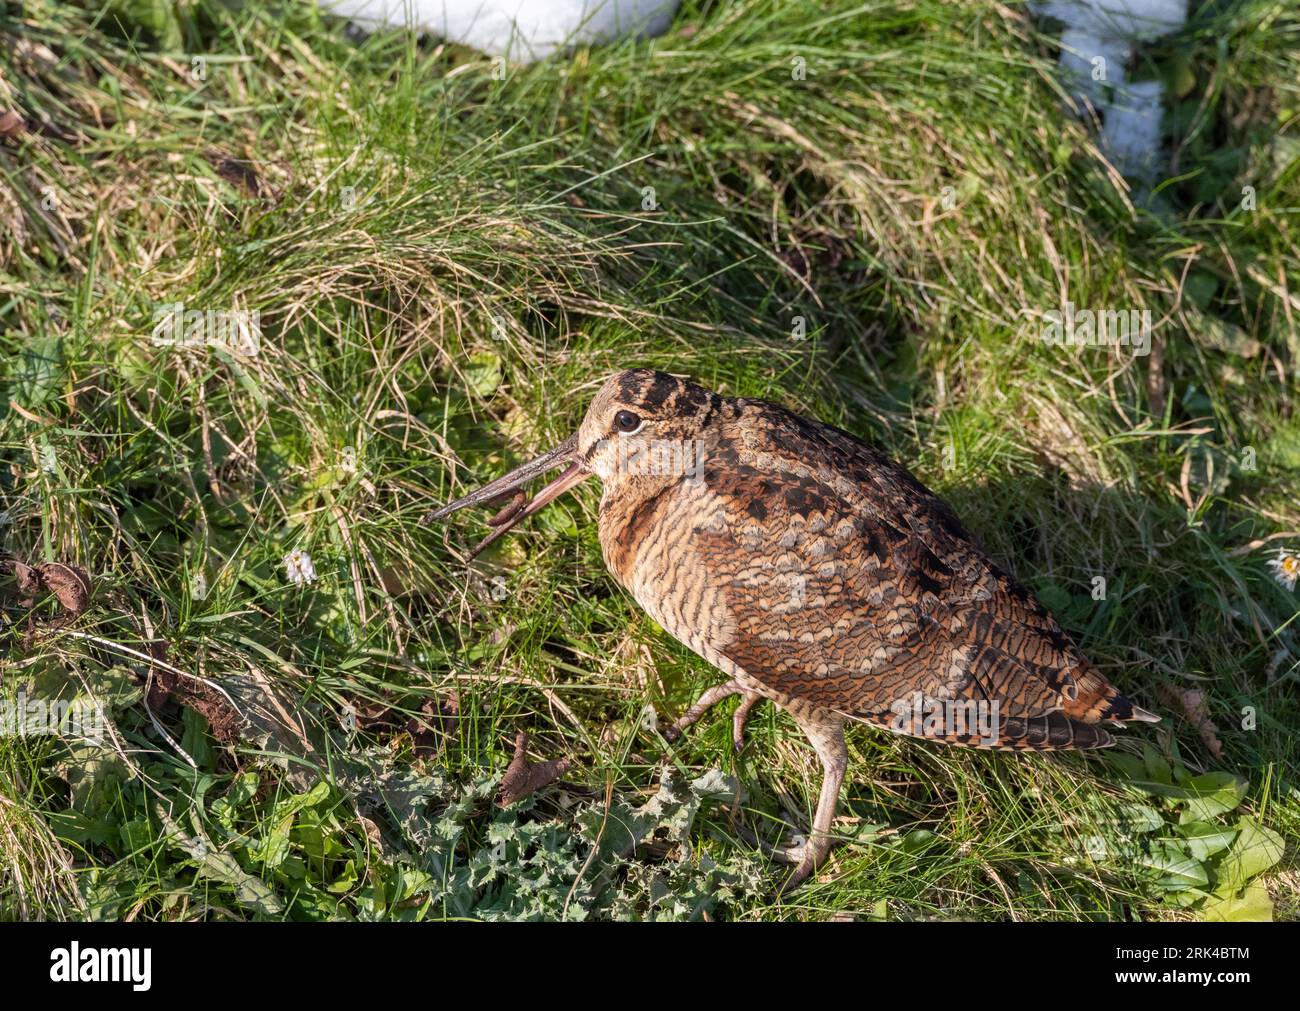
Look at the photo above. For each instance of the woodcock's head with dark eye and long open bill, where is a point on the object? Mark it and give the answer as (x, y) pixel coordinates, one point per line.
(644, 429)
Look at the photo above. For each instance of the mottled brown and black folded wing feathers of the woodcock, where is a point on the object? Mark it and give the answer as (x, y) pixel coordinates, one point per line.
(855, 589)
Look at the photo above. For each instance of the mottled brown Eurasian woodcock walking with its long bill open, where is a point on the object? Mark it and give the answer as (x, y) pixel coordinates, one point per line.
(818, 574)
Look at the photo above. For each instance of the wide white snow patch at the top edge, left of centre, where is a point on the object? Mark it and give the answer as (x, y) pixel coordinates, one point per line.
(522, 31)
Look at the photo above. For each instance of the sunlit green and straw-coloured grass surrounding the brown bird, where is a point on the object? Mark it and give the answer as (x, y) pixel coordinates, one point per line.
(454, 310)
